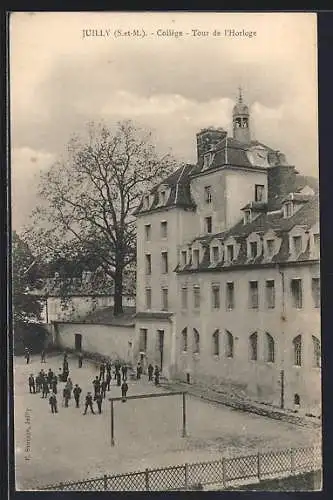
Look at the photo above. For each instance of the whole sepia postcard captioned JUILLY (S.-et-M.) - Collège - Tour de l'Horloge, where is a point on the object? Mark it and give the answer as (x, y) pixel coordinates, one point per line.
(165, 251)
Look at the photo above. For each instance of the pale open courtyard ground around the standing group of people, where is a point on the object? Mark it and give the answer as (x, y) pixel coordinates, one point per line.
(71, 447)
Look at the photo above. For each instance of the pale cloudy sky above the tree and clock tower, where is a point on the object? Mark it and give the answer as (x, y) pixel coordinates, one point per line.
(60, 80)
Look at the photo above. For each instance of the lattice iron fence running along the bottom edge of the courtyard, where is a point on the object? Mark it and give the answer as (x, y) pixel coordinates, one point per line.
(224, 472)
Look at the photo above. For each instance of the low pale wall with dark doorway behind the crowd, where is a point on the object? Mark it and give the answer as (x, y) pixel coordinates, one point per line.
(108, 340)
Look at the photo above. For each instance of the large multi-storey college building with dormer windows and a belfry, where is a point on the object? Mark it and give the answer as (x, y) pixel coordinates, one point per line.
(228, 284)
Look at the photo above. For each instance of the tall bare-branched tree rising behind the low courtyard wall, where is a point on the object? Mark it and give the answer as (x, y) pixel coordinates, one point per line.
(91, 195)
